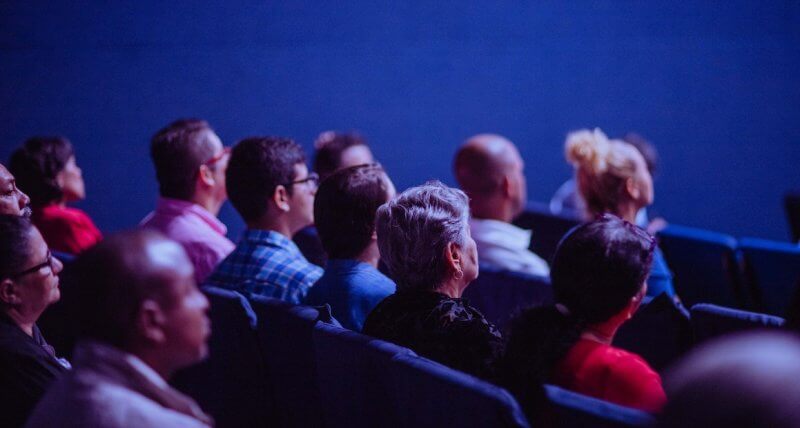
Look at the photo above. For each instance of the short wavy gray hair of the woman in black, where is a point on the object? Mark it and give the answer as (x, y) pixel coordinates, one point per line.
(414, 230)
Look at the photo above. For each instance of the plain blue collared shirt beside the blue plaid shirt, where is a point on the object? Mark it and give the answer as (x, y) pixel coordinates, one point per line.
(353, 289)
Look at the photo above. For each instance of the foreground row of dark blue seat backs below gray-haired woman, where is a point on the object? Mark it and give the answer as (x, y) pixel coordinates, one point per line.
(275, 364)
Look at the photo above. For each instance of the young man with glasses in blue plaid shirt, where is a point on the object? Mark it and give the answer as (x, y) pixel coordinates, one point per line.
(271, 188)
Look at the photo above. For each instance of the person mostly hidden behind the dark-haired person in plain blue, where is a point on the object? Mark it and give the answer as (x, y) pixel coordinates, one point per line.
(334, 151)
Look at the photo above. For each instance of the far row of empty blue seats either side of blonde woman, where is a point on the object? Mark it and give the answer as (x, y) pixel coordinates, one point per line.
(748, 273)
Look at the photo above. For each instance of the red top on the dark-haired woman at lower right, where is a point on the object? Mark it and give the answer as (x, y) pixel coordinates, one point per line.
(611, 374)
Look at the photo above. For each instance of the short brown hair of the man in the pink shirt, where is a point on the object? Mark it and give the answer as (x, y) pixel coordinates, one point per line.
(177, 151)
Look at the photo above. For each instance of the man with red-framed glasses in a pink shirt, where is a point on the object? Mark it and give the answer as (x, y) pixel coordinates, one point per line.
(190, 164)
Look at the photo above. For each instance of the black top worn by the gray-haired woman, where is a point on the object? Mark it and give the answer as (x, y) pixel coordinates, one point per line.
(438, 327)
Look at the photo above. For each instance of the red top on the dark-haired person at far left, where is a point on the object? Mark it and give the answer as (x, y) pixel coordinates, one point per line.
(68, 230)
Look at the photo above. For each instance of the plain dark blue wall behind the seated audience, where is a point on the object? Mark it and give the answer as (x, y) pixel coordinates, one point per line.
(714, 84)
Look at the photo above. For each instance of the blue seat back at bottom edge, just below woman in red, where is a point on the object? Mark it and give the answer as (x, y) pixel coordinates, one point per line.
(576, 410)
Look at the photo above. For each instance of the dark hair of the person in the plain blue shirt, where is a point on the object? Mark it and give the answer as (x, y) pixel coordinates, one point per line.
(345, 207)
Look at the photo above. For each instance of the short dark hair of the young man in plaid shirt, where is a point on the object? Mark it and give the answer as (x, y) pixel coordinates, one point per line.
(256, 167)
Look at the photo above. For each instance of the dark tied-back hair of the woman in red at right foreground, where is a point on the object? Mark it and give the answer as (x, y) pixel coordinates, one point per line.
(598, 267)
